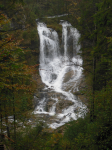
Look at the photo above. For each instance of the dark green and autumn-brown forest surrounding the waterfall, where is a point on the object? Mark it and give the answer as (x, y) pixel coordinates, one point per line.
(19, 64)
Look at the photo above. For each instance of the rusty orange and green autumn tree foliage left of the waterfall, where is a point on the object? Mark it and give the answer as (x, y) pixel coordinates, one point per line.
(16, 84)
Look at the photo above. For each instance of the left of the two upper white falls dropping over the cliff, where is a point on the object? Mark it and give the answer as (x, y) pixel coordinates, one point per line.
(49, 43)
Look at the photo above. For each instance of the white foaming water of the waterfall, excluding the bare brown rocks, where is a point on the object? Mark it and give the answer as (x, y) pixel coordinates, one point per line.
(54, 67)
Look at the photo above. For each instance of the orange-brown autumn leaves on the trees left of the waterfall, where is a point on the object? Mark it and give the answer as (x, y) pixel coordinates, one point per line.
(15, 75)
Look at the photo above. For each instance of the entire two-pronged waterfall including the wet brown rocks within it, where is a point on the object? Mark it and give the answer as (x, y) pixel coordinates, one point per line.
(60, 70)
